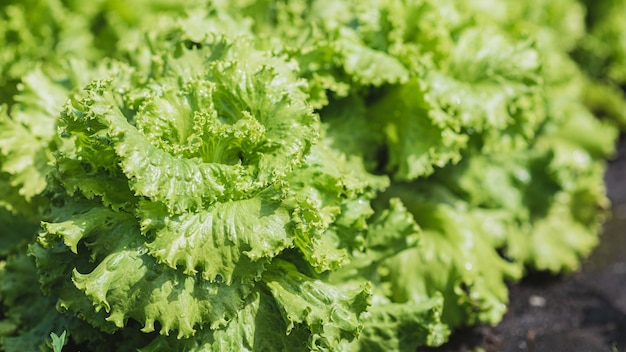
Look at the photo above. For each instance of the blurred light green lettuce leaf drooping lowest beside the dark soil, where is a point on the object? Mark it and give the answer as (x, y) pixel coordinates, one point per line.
(473, 285)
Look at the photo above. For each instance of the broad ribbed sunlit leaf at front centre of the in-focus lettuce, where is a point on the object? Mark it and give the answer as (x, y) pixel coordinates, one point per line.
(229, 241)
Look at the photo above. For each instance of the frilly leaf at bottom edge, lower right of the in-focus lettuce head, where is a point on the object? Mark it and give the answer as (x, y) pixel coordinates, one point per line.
(290, 312)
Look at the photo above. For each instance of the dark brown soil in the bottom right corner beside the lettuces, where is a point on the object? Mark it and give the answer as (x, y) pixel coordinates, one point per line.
(581, 312)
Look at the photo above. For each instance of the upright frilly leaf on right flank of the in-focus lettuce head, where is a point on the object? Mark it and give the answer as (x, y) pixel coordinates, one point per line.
(332, 193)
